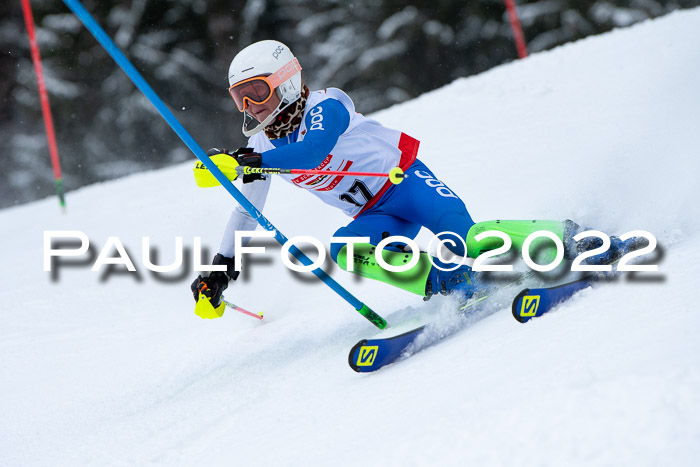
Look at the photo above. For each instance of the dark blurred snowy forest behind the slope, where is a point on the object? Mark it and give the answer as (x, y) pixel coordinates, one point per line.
(381, 52)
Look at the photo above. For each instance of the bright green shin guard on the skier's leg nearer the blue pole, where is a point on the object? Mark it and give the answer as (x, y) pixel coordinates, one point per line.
(365, 264)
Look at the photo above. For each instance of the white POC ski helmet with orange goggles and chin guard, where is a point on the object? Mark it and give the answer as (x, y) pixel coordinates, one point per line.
(256, 72)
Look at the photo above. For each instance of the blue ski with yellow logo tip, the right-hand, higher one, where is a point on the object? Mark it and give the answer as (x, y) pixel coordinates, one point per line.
(531, 303)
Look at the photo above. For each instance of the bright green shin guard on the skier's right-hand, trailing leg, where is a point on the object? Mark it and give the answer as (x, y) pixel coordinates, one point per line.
(518, 231)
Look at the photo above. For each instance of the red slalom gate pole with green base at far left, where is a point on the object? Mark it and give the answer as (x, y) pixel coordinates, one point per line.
(45, 108)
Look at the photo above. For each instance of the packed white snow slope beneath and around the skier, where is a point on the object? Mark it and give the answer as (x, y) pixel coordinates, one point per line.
(102, 368)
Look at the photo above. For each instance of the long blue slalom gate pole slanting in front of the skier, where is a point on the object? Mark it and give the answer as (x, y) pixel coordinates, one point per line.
(116, 54)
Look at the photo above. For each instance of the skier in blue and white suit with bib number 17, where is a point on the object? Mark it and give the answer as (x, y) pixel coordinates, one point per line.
(291, 127)
